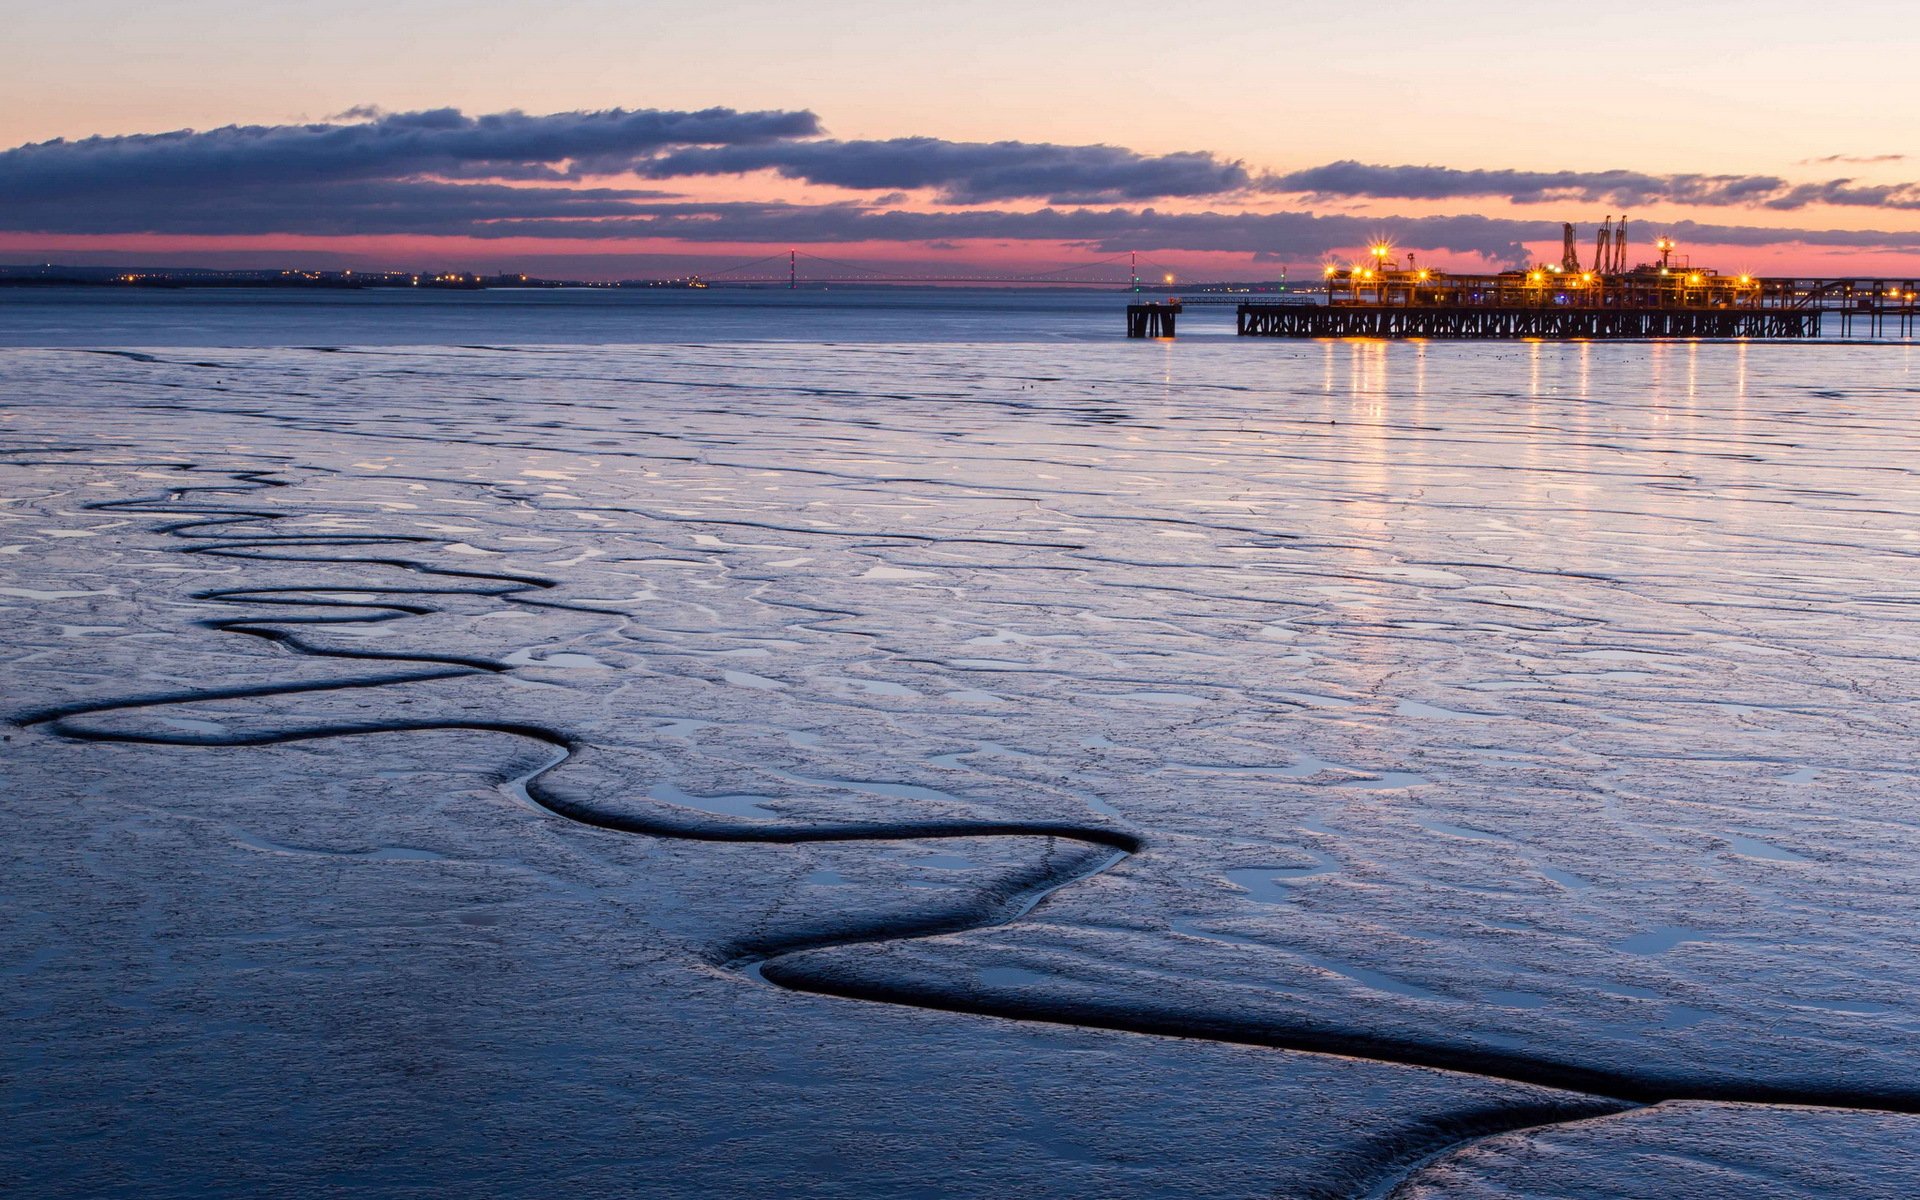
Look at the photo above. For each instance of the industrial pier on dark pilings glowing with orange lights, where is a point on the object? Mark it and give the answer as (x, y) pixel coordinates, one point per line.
(1395, 299)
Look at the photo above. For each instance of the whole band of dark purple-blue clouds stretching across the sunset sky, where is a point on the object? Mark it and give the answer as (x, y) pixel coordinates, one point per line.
(600, 178)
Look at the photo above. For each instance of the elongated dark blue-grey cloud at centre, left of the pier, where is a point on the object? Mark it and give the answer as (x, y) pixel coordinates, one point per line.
(972, 172)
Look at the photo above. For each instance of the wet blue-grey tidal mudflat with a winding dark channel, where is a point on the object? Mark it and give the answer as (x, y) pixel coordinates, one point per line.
(963, 771)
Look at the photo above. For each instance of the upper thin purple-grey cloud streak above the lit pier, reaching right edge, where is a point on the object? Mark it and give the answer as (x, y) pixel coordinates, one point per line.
(1621, 189)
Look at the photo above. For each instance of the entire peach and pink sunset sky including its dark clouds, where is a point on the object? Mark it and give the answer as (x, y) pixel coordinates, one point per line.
(627, 139)
